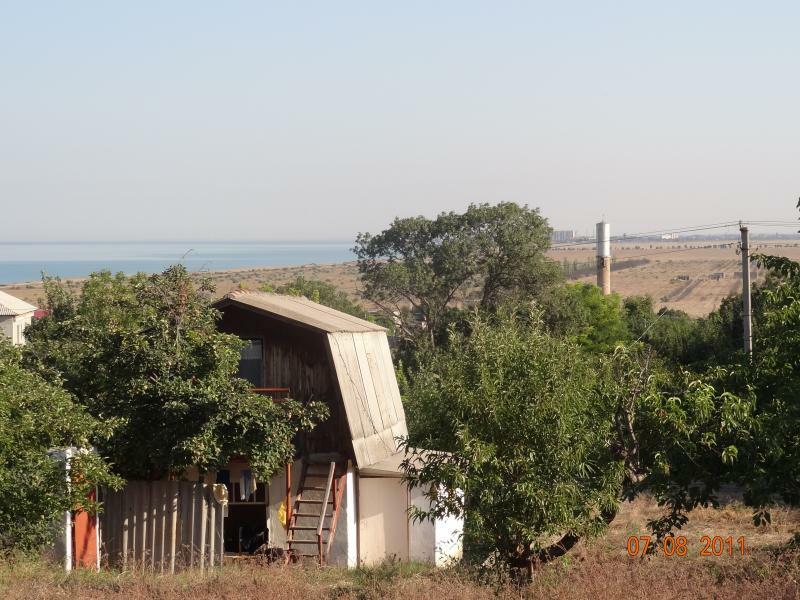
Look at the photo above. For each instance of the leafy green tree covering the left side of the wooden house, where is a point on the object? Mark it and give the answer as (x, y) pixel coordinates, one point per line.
(146, 351)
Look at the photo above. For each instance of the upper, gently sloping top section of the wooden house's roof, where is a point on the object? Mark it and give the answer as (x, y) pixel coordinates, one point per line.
(299, 310)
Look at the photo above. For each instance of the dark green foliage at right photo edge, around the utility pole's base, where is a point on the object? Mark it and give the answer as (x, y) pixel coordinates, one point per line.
(737, 423)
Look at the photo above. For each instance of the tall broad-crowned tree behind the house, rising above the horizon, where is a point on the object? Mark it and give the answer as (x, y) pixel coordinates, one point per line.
(418, 269)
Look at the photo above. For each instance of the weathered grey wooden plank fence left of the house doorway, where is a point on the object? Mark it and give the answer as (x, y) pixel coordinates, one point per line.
(162, 526)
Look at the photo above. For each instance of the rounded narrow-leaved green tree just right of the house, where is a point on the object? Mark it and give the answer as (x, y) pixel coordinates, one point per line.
(528, 432)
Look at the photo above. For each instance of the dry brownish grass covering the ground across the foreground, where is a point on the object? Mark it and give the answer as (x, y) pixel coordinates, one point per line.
(600, 570)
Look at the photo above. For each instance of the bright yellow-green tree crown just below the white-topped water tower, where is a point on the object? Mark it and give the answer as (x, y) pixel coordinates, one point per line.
(580, 311)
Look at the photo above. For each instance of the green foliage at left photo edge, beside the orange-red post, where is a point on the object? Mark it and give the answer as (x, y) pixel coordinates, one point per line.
(35, 418)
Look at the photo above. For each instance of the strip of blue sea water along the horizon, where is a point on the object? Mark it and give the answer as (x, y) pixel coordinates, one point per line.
(20, 262)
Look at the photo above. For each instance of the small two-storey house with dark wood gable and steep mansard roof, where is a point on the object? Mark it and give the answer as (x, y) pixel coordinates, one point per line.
(342, 501)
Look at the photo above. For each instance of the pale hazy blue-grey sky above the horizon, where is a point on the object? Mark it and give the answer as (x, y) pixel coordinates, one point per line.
(317, 120)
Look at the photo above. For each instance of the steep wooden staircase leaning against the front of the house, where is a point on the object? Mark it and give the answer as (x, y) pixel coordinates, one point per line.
(312, 523)
